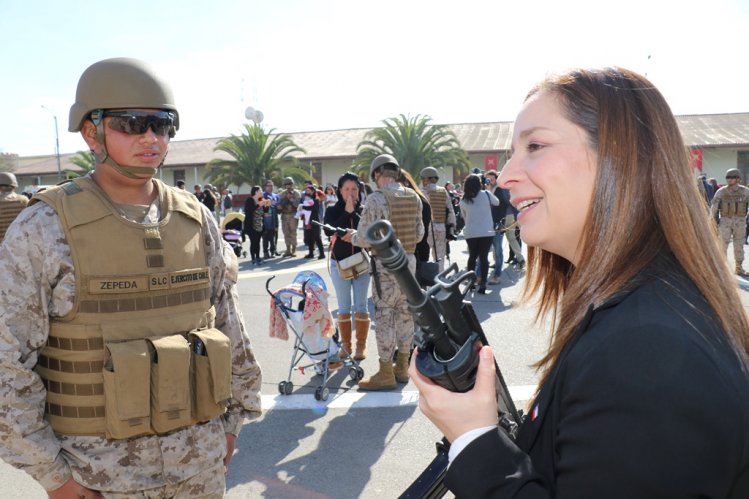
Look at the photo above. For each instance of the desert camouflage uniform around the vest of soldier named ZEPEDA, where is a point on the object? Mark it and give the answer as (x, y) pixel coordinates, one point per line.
(40, 284)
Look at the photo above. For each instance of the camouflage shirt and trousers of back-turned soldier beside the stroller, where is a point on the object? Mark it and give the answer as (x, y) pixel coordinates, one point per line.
(394, 324)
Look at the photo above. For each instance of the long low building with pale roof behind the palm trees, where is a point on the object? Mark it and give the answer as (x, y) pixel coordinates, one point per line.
(718, 142)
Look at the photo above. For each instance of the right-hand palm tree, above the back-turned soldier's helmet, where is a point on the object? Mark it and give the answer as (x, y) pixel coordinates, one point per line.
(415, 143)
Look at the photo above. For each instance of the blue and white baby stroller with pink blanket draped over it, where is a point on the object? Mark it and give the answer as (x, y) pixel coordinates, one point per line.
(303, 307)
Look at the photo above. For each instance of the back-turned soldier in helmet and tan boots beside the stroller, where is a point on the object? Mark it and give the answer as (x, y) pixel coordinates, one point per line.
(394, 324)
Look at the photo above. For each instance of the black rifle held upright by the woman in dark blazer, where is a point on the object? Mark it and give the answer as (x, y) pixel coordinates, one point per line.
(449, 339)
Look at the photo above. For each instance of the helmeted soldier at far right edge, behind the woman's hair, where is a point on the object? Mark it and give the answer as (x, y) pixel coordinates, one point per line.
(730, 204)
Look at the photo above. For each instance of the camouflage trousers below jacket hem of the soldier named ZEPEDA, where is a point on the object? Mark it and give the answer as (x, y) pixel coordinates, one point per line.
(208, 484)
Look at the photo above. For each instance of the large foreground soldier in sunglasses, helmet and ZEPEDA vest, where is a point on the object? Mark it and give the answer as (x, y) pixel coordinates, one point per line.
(121, 284)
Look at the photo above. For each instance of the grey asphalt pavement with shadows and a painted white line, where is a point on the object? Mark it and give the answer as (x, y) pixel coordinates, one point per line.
(355, 444)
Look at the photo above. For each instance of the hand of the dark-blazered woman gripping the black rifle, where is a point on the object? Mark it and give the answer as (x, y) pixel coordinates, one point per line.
(456, 413)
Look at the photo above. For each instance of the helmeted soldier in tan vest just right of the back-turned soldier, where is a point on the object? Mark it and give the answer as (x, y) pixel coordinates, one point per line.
(443, 215)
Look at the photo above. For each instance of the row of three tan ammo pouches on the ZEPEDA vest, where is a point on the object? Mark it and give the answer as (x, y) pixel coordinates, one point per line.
(161, 384)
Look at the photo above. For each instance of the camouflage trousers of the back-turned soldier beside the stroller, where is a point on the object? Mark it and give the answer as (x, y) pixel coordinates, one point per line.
(394, 324)
